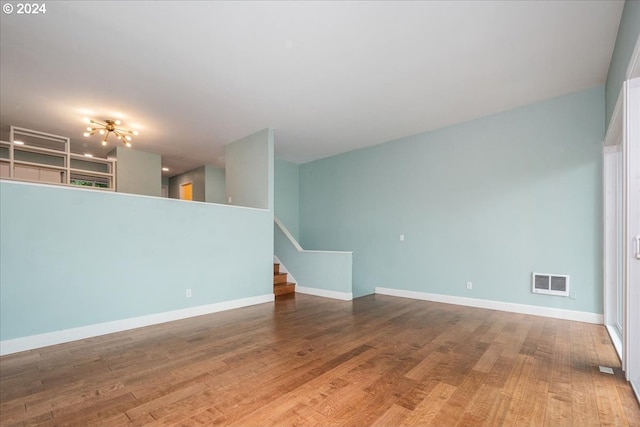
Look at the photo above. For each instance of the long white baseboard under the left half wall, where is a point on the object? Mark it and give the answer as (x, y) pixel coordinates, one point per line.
(58, 337)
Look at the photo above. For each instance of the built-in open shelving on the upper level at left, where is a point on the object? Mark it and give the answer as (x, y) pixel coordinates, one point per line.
(42, 157)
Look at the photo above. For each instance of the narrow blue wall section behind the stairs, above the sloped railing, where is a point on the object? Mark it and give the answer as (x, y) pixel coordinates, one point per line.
(286, 195)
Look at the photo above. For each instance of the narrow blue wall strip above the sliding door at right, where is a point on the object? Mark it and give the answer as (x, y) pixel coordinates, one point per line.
(628, 33)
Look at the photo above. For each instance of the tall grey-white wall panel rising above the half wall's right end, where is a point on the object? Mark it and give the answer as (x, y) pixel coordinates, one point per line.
(249, 170)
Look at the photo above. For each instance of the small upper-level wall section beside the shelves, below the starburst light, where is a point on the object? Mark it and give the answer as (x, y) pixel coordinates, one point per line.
(137, 172)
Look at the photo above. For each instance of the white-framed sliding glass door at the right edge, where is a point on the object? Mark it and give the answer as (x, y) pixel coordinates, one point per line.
(622, 232)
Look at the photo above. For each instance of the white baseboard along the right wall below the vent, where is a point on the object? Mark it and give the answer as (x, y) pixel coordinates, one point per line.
(557, 313)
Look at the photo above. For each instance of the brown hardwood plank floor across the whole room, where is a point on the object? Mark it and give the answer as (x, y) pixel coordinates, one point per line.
(305, 360)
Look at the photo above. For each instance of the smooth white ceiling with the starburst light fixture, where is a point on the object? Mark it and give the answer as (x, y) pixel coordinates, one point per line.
(330, 77)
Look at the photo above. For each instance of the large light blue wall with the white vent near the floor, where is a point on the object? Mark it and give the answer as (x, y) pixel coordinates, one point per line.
(488, 201)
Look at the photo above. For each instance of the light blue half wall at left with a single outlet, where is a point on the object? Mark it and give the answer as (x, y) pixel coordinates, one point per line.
(73, 257)
